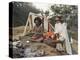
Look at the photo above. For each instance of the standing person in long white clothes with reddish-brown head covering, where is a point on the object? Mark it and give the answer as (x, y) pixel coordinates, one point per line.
(61, 30)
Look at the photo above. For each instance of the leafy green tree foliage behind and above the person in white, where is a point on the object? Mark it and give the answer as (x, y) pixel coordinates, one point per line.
(68, 12)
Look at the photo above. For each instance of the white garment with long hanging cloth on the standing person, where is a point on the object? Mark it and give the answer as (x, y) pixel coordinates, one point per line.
(61, 28)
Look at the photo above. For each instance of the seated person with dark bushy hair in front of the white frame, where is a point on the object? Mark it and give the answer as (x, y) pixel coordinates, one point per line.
(38, 29)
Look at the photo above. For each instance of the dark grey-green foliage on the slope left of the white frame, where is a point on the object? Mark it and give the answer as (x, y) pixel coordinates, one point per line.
(21, 11)
